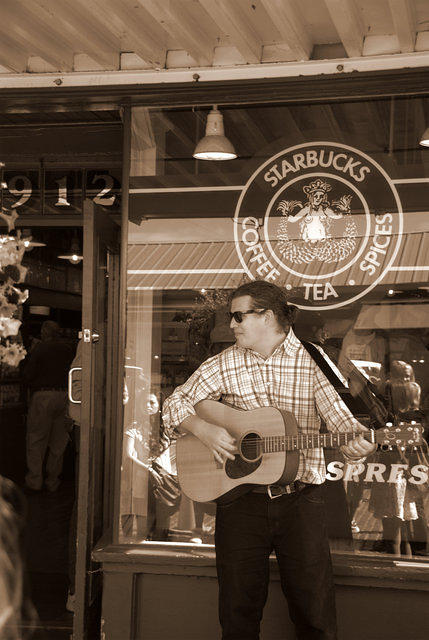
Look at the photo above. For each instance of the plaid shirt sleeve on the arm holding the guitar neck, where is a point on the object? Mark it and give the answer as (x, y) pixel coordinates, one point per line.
(331, 407)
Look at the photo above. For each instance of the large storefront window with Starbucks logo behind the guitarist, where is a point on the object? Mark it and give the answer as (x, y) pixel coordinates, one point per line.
(328, 201)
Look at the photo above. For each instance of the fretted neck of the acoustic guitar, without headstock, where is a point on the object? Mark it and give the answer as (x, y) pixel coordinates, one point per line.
(275, 444)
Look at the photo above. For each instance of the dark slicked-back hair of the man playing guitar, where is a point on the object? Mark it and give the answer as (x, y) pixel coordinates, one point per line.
(266, 295)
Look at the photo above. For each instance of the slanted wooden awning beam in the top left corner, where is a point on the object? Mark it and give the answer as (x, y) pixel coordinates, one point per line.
(32, 33)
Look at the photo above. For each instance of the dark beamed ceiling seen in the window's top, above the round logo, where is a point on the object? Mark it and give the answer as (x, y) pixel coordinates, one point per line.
(388, 130)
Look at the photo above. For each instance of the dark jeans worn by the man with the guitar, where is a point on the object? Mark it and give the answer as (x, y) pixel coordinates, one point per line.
(247, 531)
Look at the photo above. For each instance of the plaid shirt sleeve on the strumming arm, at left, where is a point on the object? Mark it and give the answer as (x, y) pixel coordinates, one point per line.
(204, 384)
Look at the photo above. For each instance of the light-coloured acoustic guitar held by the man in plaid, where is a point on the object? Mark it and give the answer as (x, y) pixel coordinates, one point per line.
(268, 445)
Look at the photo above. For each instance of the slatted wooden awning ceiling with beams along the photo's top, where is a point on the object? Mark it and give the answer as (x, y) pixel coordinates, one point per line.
(42, 36)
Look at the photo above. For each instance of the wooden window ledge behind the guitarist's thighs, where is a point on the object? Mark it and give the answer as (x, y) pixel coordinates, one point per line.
(189, 559)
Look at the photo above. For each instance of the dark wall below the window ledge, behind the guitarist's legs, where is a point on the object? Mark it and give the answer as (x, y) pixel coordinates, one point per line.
(162, 606)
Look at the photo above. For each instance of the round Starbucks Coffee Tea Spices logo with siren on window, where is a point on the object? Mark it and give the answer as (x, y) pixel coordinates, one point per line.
(321, 217)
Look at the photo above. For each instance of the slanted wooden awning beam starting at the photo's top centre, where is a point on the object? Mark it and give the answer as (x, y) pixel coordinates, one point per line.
(234, 23)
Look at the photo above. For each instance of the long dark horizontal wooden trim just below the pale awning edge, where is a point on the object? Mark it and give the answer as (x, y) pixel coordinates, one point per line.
(309, 89)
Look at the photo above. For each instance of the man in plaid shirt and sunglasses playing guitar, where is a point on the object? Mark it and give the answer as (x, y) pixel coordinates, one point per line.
(266, 366)
